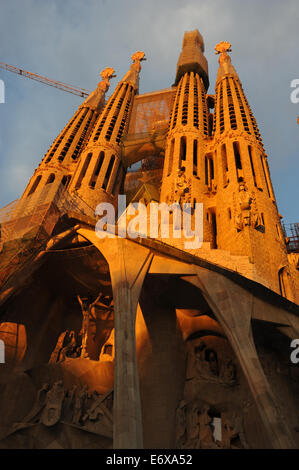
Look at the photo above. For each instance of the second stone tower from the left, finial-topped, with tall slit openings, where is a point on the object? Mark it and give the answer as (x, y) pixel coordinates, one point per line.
(100, 171)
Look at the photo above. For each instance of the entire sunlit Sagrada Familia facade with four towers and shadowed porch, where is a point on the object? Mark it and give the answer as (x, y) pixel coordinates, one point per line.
(139, 342)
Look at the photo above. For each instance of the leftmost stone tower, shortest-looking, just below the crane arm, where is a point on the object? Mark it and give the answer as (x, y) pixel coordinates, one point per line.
(60, 161)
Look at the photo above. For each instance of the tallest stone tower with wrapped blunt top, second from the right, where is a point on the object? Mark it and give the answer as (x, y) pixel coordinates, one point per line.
(189, 129)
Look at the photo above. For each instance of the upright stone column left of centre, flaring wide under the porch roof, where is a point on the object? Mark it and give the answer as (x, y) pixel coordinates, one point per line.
(128, 264)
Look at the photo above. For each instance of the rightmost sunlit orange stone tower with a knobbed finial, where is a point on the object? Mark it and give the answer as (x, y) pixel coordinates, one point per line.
(247, 220)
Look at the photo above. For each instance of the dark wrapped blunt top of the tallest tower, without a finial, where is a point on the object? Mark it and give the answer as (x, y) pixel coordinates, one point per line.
(192, 57)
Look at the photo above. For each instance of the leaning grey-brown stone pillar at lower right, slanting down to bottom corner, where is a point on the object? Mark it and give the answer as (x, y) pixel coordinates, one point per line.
(232, 306)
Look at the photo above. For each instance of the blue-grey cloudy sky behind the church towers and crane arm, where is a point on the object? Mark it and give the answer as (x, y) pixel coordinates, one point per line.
(72, 40)
